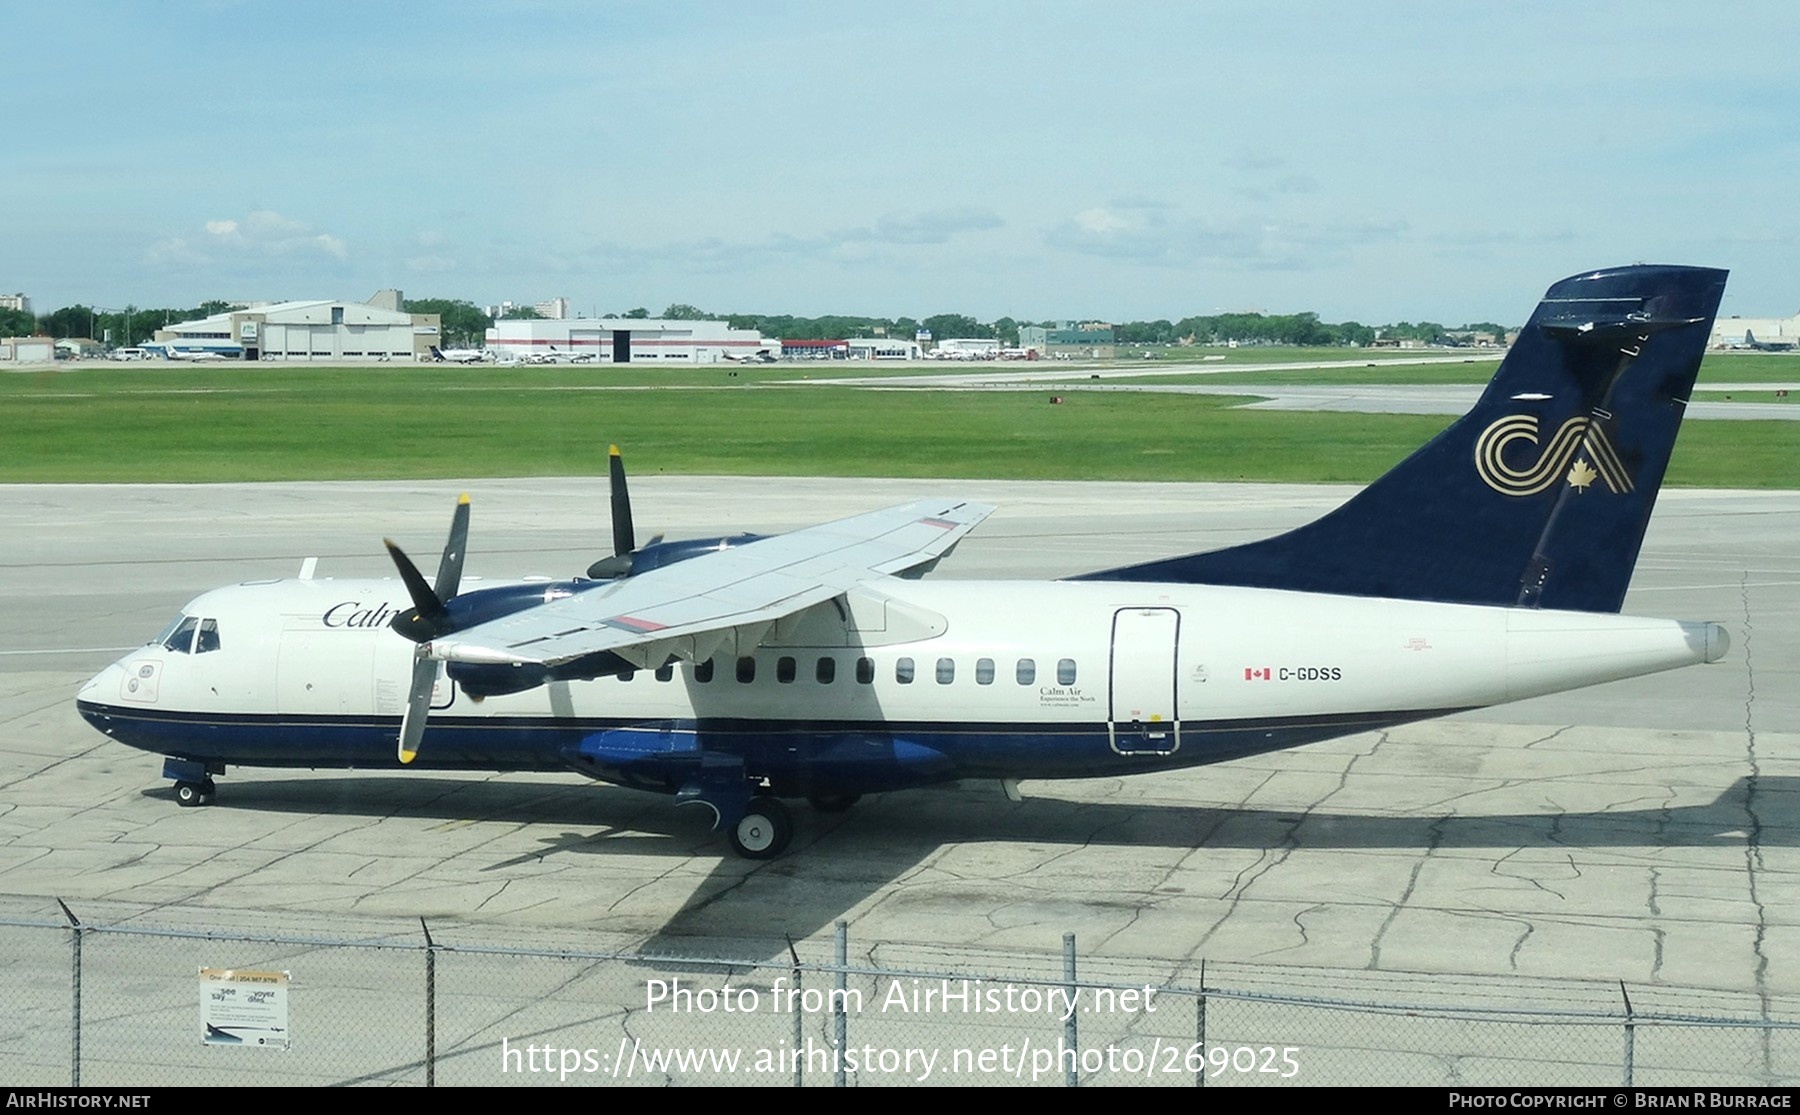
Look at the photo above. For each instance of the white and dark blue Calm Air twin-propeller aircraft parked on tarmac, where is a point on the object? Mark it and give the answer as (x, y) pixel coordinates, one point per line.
(1489, 567)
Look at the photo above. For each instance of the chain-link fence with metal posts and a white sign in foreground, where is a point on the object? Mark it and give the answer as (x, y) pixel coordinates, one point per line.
(130, 1004)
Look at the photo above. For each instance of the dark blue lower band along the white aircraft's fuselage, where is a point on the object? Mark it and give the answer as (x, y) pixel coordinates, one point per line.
(800, 756)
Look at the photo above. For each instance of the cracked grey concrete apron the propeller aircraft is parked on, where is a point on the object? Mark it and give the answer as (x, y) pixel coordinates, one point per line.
(1644, 831)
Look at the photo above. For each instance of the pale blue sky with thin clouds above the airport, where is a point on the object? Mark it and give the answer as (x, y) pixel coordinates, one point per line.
(1034, 159)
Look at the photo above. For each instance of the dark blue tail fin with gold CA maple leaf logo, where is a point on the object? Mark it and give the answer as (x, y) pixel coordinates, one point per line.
(1542, 493)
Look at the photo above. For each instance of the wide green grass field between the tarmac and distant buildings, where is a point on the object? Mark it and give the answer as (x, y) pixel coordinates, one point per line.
(273, 422)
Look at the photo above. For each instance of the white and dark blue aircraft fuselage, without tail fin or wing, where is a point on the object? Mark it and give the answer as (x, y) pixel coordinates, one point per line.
(903, 685)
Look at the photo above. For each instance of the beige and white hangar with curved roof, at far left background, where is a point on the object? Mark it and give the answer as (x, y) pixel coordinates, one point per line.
(309, 331)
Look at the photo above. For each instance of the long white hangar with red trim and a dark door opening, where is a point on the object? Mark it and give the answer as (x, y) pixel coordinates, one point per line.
(627, 340)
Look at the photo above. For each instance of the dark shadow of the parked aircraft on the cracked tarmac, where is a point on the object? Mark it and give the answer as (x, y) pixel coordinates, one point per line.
(841, 860)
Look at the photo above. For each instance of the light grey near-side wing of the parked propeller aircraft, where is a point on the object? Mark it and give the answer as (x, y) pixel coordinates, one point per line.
(692, 608)
